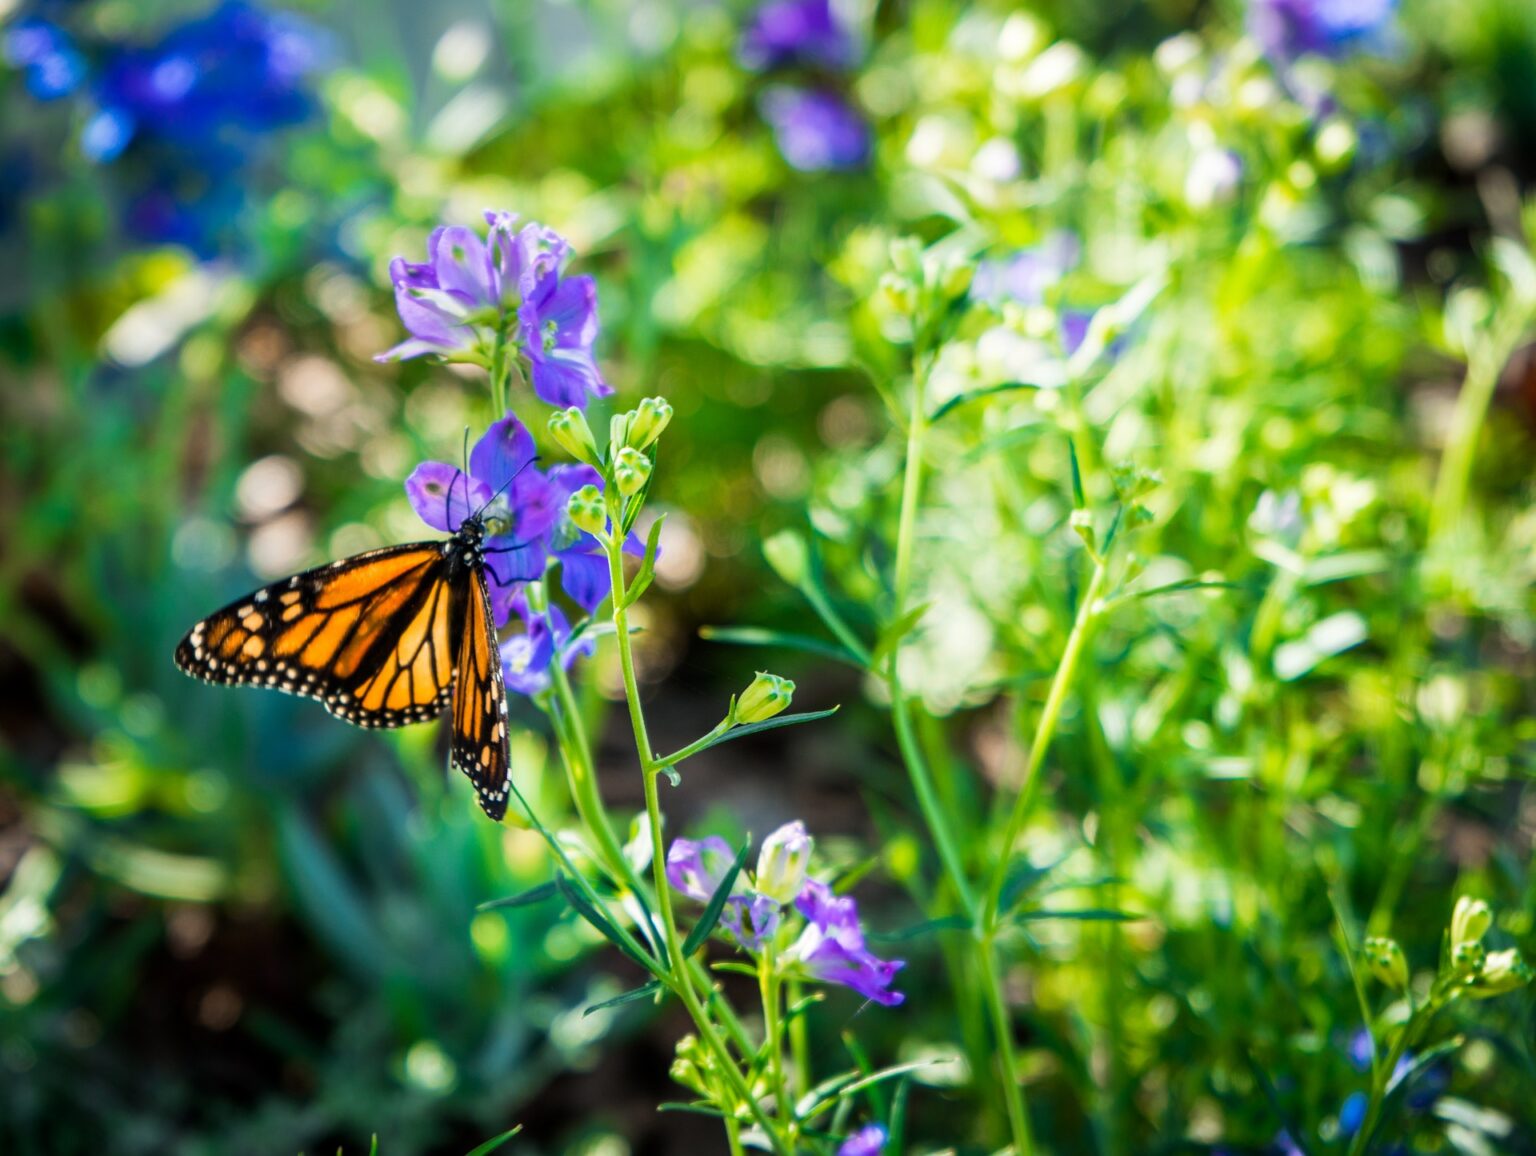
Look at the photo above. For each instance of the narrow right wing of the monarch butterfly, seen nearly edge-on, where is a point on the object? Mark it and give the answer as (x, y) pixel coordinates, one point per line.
(478, 745)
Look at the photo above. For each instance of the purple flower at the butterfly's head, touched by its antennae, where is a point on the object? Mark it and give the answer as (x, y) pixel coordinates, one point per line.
(515, 501)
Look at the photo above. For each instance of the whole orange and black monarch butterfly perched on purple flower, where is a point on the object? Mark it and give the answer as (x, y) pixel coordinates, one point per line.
(382, 639)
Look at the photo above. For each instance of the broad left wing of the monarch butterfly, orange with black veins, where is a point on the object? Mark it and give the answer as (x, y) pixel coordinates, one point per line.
(369, 636)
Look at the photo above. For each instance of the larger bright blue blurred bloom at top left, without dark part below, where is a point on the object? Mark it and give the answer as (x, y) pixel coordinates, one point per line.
(236, 70)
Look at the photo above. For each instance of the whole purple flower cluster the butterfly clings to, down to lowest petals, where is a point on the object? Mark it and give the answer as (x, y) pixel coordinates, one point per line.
(526, 521)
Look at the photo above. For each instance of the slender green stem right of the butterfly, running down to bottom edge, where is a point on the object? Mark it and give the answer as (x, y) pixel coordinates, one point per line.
(681, 974)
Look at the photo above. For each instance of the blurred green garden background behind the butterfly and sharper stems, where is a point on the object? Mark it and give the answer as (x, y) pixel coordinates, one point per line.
(231, 925)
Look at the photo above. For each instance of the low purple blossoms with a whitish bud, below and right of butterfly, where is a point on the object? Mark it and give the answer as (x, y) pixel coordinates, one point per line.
(832, 943)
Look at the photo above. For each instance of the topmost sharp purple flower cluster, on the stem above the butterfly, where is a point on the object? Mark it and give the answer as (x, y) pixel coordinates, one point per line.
(471, 296)
